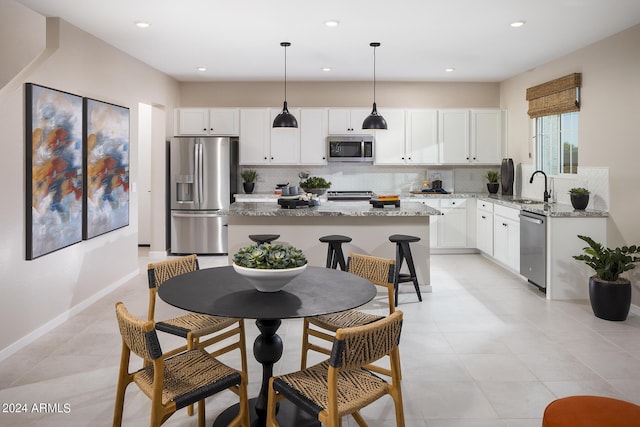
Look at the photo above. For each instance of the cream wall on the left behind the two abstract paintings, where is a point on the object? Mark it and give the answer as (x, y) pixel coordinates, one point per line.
(35, 295)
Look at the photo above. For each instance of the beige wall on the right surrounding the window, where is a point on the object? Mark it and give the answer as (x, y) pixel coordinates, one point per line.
(608, 127)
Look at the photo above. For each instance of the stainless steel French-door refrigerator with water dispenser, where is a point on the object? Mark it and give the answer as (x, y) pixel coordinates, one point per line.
(203, 176)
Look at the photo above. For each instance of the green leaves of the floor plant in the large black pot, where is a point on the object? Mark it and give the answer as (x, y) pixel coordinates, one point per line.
(608, 263)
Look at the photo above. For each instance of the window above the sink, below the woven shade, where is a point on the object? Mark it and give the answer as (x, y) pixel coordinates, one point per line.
(555, 141)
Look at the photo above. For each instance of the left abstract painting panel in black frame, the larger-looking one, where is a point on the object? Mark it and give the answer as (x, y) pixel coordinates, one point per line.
(54, 184)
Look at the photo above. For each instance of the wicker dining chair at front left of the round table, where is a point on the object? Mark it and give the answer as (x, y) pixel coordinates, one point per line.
(172, 382)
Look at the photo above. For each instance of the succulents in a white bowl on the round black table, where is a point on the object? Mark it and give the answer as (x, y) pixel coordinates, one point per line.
(269, 267)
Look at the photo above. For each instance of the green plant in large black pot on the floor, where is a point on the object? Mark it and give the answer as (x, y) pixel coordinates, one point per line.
(610, 294)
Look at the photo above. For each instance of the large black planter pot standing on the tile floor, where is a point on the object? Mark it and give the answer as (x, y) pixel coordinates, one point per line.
(610, 300)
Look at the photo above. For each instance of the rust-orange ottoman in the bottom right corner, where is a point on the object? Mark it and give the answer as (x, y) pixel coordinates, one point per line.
(591, 411)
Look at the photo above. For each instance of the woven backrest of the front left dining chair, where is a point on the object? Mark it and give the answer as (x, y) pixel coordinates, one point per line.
(138, 335)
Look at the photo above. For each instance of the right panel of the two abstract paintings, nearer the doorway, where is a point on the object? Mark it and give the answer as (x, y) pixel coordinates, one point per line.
(107, 167)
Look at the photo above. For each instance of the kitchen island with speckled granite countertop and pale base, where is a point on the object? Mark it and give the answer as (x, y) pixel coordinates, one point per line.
(369, 228)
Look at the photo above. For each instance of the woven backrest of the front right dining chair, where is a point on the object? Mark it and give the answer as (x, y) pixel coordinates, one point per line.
(361, 345)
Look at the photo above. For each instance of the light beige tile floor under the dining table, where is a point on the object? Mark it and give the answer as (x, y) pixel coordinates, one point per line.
(484, 349)
